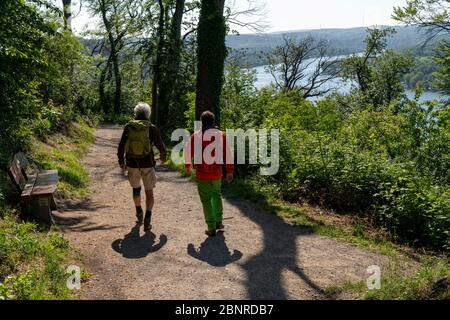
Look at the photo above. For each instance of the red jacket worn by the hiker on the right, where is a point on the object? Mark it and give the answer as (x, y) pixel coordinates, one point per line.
(205, 171)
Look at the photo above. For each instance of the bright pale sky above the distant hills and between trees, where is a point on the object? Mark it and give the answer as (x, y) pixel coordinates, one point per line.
(285, 15)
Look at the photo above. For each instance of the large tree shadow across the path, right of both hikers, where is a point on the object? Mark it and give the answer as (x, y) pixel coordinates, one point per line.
(279, 253)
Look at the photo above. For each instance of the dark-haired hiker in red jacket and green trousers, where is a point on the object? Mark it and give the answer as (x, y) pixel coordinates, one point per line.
(208, 169)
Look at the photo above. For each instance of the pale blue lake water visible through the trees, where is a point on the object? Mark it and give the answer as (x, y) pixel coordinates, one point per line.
(265, 79)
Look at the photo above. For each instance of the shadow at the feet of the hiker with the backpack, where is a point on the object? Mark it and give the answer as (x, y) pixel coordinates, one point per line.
(135, 246)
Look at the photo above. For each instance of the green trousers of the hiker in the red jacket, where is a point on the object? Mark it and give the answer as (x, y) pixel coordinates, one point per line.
(210, 196)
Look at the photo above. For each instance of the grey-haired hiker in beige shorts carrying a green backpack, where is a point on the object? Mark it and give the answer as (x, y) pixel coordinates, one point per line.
(136, 156)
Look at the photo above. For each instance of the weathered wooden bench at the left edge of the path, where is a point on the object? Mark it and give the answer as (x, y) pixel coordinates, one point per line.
(37, 188)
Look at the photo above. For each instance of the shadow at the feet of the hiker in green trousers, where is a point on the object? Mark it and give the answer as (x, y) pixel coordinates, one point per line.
(214, 251)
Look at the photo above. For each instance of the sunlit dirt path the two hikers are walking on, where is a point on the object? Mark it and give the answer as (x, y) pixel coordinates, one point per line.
(258, 257)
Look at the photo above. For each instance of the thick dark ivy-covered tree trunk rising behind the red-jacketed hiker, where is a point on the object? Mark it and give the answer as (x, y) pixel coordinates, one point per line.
(211, 54)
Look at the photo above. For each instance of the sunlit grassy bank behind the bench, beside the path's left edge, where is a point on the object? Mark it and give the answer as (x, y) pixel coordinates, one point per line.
(64, 152)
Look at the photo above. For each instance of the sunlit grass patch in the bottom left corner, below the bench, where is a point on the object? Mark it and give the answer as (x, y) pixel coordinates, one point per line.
(32, 262)
